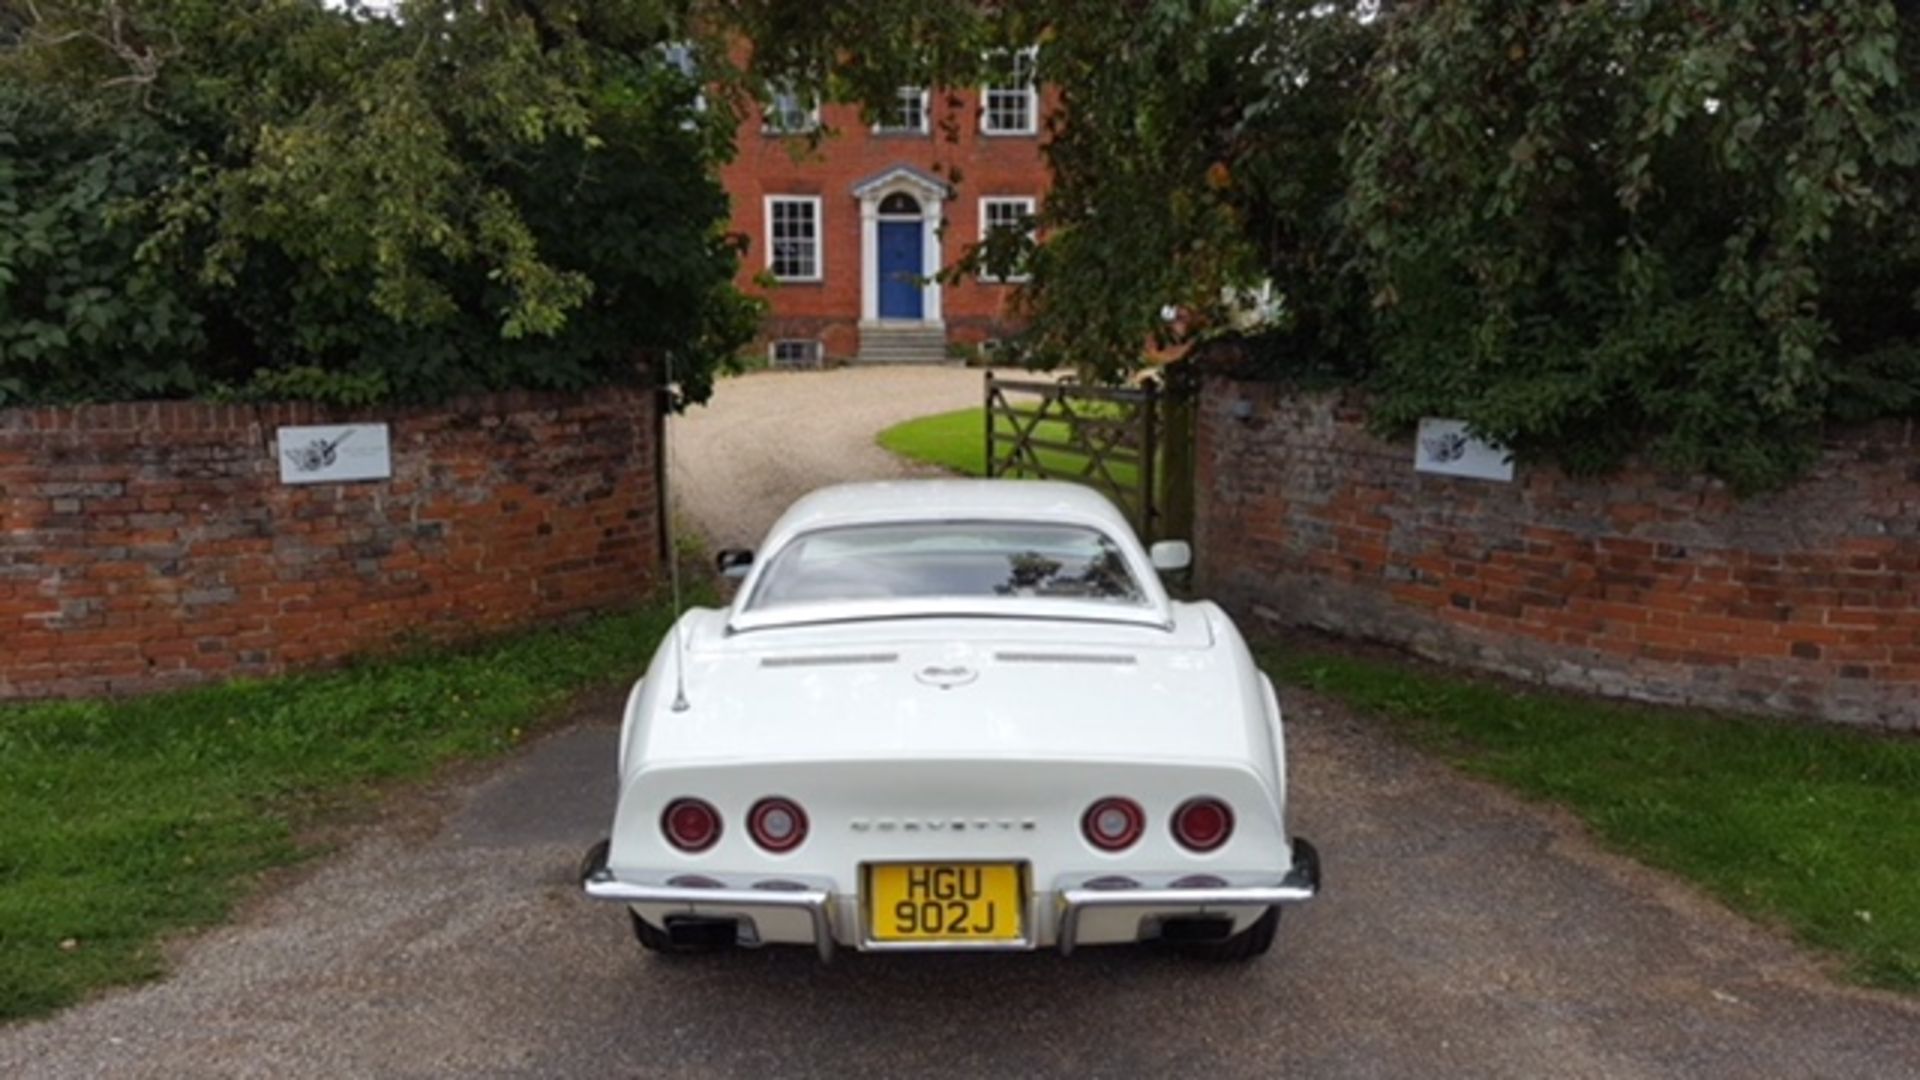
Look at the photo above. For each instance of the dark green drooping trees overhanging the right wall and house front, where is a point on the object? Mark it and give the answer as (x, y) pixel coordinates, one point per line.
(1589, 230)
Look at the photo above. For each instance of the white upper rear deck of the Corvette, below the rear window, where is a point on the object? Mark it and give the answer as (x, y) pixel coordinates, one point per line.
(961, 689)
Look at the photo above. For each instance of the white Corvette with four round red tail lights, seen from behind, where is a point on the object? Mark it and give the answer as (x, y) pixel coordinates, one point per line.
(953, 716)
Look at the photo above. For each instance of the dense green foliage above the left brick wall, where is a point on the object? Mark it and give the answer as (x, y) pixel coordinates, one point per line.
(452, 199)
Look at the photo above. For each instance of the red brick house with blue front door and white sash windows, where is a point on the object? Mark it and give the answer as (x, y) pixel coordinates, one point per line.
(853, 232)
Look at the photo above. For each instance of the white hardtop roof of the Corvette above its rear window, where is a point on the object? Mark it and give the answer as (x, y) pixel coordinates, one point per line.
(949, 501)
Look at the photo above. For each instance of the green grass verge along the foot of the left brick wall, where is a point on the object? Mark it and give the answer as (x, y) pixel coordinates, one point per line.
(122, 822)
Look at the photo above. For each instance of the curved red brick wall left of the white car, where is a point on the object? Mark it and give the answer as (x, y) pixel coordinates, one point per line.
(153, 545)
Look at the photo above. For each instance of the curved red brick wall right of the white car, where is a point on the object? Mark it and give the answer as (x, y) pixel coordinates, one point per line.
(1804, 602)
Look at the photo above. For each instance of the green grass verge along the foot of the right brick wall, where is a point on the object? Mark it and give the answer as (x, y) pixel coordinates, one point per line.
(1810, 827)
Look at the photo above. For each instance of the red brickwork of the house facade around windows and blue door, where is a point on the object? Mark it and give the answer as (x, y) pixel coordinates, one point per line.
(976, 166)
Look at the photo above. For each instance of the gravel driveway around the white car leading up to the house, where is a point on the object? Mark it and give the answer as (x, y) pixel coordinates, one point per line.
(1462, 933)
